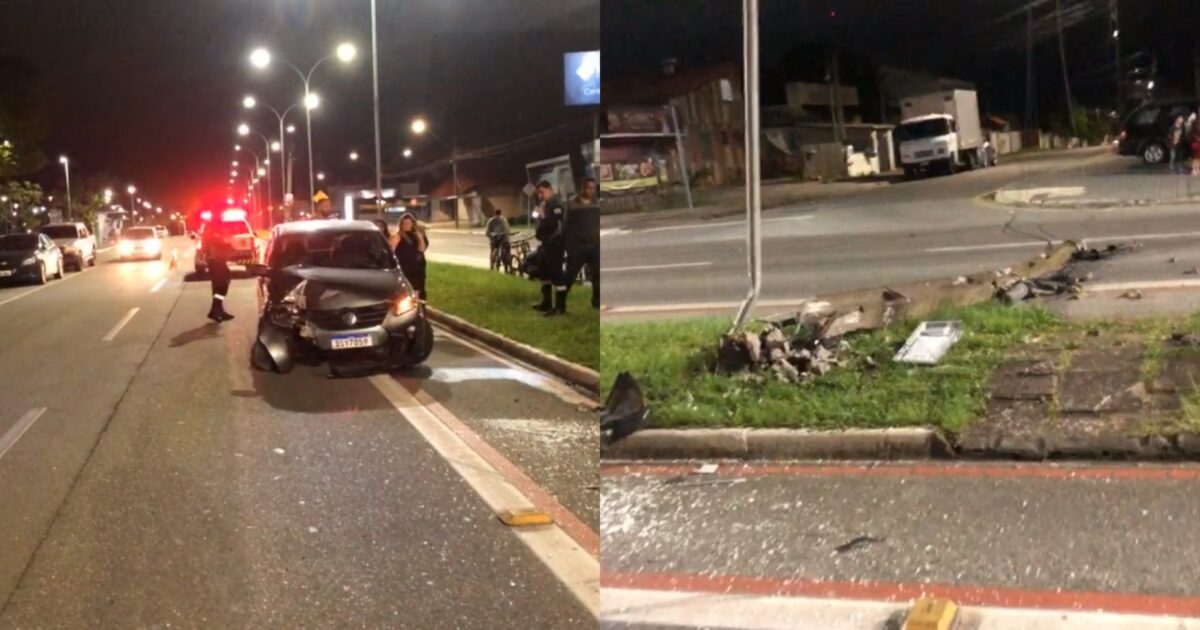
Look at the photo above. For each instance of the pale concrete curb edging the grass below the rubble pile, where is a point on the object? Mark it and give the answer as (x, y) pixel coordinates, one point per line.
(779, 445)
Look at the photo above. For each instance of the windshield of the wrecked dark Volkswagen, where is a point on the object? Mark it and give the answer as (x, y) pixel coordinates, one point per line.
(334, 249)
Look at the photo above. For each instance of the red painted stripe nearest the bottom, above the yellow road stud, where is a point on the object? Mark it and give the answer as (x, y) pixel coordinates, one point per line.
(964, 596)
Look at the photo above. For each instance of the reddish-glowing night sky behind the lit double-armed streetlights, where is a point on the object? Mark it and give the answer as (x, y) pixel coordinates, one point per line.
(149, 91)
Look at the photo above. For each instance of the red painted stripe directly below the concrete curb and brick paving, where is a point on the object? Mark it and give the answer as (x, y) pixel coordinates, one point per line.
(1013, 471)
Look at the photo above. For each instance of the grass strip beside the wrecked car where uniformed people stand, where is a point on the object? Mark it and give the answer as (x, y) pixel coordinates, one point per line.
(502, 304)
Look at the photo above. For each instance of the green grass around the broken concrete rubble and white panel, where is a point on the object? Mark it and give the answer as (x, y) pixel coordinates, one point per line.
(671, 359)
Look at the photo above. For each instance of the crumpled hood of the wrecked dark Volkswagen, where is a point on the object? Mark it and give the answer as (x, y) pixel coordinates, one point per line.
(345, 289)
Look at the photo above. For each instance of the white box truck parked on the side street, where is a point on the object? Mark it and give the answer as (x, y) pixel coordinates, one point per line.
(941, 133)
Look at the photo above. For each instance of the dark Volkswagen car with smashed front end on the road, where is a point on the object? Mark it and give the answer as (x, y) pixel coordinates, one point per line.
(332, 292)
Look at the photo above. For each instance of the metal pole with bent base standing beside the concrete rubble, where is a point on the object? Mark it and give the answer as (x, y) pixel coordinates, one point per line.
(753, 163)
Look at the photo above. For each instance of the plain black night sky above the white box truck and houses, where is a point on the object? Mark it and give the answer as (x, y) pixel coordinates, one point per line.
(982, 41)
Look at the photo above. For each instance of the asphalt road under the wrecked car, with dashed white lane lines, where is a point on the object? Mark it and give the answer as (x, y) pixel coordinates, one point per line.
(151, 478)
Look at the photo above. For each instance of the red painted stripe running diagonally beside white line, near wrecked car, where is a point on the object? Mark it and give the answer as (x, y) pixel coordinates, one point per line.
(542, 500)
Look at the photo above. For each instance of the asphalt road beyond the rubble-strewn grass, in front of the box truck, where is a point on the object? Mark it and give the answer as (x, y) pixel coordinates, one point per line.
(901, 233)
